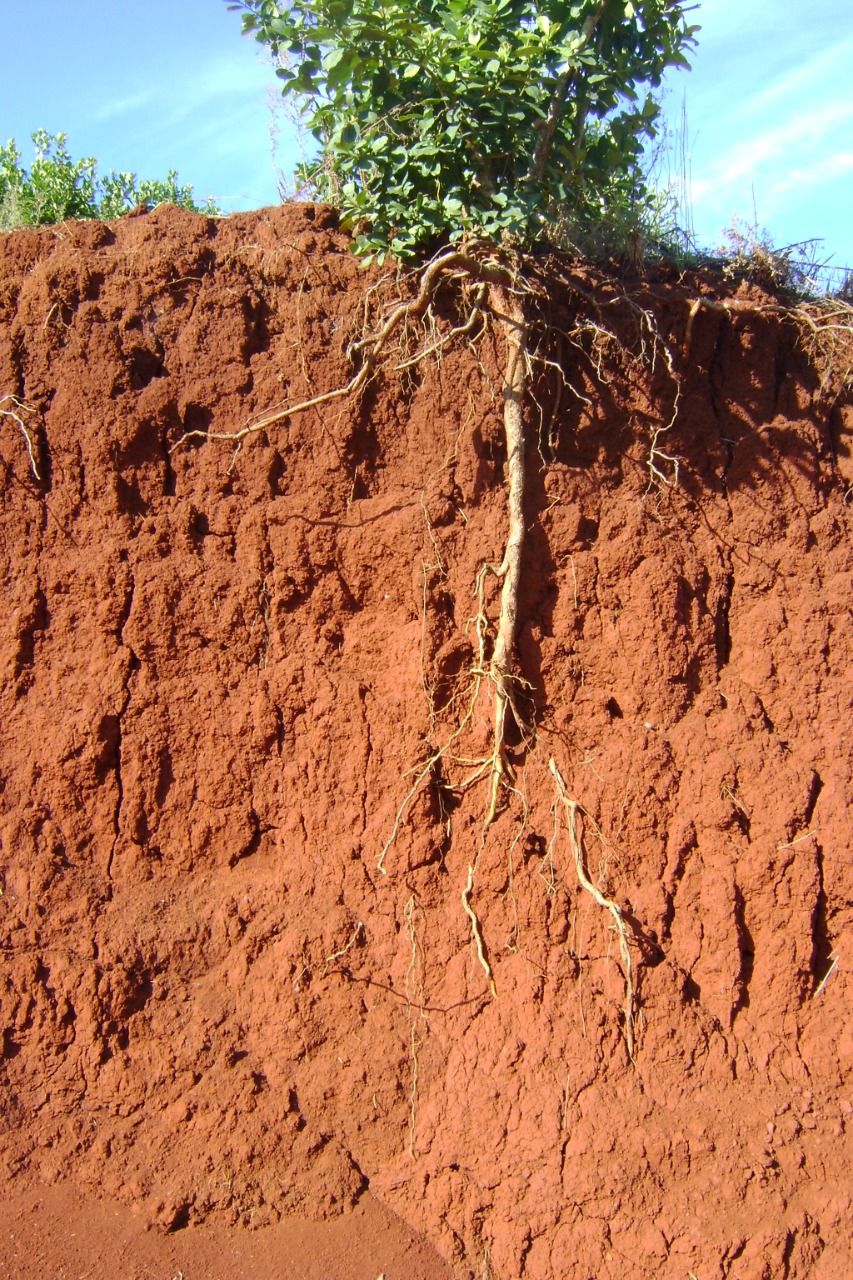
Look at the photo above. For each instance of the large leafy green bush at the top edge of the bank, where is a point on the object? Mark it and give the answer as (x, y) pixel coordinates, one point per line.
(444, 118)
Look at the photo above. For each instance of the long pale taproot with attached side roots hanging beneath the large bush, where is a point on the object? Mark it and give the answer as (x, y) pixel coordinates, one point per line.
(494, 294)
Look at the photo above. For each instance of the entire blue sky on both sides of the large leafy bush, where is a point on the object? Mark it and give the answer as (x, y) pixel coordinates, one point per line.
(152, 85)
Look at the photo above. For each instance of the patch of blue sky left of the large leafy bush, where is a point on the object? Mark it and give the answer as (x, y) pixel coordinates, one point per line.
(143, 85)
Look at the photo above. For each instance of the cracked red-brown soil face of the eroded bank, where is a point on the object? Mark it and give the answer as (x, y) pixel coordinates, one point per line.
(215, 1009)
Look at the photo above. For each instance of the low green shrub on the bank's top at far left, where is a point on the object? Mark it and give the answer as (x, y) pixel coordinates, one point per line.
(58, 189)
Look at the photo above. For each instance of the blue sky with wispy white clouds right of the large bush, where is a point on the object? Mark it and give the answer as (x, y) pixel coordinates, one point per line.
(770, 121)
